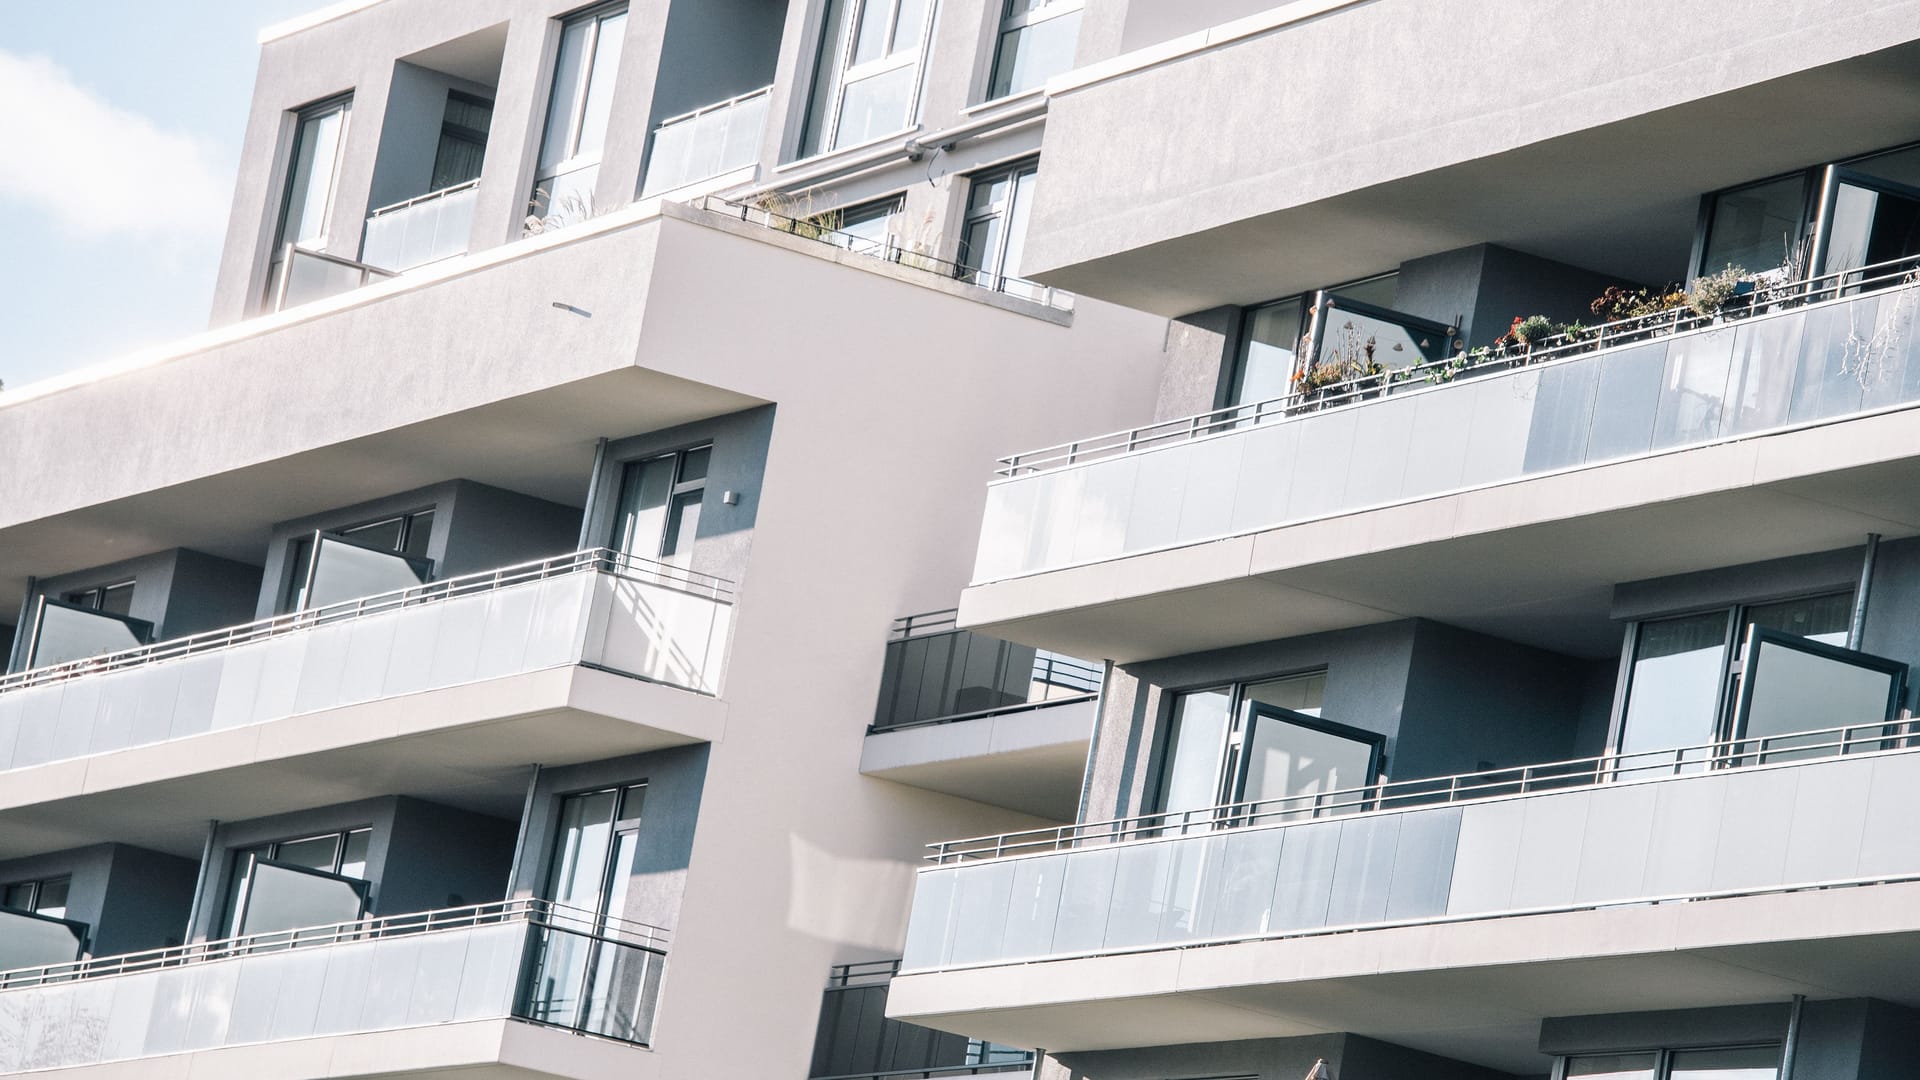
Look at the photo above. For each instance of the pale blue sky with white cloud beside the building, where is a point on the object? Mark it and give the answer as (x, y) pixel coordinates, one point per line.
(120, 135)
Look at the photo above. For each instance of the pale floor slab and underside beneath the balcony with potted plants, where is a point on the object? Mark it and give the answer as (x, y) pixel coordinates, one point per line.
(1529, 560)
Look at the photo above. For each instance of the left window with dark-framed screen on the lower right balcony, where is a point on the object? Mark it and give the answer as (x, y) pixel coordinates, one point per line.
(1264, 743)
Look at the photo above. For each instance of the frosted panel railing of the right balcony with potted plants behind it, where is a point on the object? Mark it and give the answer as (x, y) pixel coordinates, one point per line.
(1788, 358)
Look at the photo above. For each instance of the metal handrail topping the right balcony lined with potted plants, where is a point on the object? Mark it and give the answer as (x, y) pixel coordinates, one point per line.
(1765, 299)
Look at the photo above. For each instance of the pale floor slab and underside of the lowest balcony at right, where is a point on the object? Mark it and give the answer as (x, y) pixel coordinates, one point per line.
(1474, 991)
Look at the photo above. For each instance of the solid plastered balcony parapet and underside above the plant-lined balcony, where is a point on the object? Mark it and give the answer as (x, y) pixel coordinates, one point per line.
(1606, 182)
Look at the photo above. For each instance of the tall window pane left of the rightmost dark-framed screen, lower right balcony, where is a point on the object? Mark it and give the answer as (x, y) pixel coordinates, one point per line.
(1679, 666)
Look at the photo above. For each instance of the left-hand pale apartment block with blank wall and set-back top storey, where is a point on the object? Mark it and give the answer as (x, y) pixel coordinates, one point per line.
(460, 660)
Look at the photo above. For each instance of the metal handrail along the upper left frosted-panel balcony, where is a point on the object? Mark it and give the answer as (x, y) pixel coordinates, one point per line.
(596, 560)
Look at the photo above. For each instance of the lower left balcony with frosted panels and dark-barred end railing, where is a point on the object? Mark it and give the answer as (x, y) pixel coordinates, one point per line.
(345, 994)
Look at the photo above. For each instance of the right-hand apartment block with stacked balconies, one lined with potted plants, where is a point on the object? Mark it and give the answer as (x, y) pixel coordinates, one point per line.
(1508, 591)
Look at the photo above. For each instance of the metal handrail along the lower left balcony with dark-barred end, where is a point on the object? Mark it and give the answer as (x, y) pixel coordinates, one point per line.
(533, 912)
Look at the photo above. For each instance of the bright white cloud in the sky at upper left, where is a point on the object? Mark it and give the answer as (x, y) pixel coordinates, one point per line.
(97, 168)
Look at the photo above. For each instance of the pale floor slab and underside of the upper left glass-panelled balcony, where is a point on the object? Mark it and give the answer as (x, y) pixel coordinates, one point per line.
(464, 745)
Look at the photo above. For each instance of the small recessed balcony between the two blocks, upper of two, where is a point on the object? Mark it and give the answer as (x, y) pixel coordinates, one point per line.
(984, 720)
